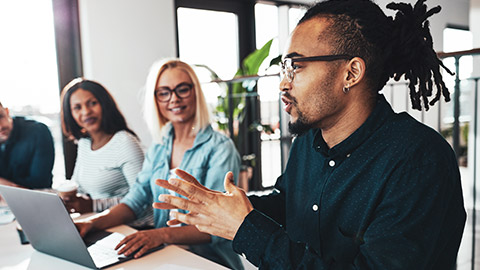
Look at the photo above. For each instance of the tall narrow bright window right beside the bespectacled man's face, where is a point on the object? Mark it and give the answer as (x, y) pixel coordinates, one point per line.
(268, 26)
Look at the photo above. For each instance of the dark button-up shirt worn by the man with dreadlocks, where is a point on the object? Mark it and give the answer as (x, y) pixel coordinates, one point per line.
(387, 197)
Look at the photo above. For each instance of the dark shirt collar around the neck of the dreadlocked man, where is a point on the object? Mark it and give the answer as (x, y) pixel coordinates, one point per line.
(379, 115)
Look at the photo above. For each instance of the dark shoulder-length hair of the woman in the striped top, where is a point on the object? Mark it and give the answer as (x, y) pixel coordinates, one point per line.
(112, 119)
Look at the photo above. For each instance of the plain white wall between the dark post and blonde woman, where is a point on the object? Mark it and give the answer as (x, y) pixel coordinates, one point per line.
(120, 40)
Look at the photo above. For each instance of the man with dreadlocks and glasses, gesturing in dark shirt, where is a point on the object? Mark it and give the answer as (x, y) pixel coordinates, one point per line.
(364, 187)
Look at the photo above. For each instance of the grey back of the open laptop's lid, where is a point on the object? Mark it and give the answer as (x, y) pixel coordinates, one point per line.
(47, 224)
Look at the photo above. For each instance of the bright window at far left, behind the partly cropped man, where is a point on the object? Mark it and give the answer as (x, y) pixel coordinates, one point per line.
(29, 67)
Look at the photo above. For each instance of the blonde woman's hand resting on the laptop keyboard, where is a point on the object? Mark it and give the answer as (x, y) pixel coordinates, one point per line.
(141, 241)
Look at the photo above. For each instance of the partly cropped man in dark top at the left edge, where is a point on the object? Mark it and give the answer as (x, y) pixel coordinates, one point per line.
(26, 152)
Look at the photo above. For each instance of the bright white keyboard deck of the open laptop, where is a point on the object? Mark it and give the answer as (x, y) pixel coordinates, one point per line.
(103, 252)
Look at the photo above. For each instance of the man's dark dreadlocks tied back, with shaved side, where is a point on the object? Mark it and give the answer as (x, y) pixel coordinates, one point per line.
(390, 47)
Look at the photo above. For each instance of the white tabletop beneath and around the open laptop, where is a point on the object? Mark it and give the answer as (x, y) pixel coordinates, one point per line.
(13, 255)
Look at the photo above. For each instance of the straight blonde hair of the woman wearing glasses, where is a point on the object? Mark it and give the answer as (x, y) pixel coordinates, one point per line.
(156, 122)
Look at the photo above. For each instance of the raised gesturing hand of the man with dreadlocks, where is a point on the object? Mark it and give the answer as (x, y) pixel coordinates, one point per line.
(210, 211)
